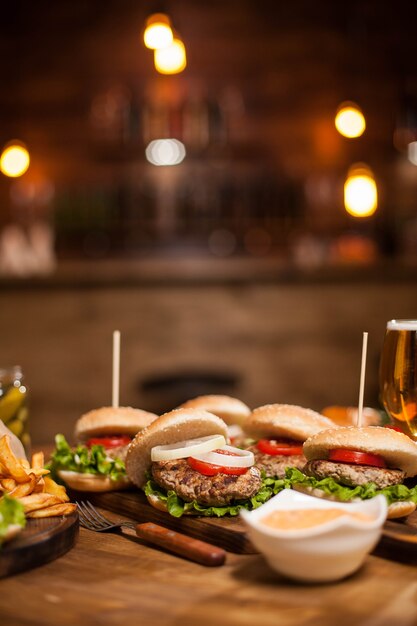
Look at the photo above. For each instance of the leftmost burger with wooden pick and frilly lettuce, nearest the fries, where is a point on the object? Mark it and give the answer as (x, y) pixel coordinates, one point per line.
(97, 462)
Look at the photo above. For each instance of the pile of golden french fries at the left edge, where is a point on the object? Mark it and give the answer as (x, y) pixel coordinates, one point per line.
(30, 484)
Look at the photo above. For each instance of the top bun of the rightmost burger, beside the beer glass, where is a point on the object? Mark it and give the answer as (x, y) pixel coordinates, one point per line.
(398, 450)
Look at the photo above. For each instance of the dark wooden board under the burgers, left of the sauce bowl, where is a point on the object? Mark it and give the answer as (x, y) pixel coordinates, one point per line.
(226, 532)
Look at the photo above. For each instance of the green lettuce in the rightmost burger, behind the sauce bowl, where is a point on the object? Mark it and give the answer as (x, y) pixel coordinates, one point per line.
(396, 493)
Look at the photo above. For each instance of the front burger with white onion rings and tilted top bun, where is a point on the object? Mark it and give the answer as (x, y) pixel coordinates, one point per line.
(184, 465)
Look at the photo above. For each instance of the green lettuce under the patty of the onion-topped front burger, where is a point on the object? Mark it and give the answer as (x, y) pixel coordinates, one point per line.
(177, 507)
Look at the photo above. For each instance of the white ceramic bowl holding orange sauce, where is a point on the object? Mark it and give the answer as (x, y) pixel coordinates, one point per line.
(322, 553)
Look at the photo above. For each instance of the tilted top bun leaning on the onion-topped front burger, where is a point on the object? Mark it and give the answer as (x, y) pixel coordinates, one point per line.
(177, 425)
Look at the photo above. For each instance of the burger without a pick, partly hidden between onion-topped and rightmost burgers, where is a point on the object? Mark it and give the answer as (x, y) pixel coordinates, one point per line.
(279, 431)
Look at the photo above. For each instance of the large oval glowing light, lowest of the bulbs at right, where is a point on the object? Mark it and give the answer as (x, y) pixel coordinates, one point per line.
(360, 192)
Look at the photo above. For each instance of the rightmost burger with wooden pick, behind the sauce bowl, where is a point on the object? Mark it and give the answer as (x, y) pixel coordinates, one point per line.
(351, 463)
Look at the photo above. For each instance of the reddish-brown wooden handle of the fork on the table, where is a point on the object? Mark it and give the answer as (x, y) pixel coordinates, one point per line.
(193, 549)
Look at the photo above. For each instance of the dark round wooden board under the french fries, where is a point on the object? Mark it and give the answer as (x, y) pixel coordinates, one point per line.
(41, 541)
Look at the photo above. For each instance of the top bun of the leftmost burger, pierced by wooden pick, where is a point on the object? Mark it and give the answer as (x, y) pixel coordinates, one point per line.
(108, 420)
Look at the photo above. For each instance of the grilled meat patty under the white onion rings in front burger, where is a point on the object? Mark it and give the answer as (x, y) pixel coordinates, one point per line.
(219, 490)
